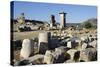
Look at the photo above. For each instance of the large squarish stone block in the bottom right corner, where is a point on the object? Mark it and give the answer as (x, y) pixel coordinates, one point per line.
(89, 54)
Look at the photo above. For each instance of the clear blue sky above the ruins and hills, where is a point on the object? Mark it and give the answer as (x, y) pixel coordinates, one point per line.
(42, 11)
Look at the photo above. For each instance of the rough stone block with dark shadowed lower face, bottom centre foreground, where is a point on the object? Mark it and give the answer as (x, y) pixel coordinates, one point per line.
(60, 54)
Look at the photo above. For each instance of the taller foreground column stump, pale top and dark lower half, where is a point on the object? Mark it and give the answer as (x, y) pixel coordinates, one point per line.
(44, 38)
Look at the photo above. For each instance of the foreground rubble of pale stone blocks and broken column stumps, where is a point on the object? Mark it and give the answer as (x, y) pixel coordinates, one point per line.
(65, 50)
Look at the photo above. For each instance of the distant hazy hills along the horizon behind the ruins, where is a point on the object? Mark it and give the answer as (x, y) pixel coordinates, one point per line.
(93, 21)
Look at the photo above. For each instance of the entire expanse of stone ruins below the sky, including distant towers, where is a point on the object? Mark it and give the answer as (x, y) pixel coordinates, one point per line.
(48, 44)
